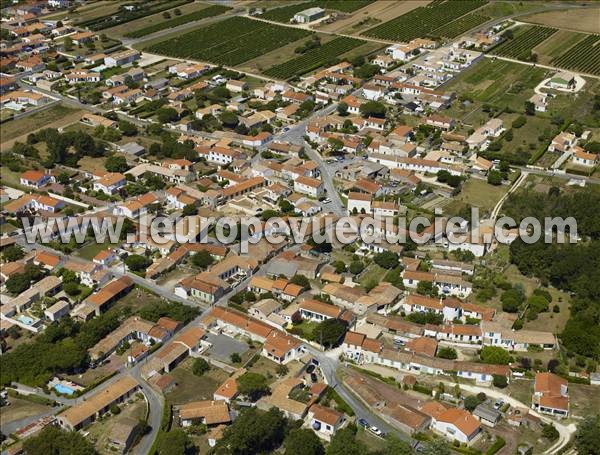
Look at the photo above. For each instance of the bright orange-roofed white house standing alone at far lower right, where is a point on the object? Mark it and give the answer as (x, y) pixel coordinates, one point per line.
(551, 395)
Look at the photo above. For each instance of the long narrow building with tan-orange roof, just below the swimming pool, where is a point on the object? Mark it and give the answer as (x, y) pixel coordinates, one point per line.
(86, 412)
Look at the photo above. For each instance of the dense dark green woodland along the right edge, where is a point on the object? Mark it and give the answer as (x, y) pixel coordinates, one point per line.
(572, 267)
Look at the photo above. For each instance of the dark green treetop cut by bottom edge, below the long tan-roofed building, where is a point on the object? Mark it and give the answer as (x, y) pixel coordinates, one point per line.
(52, 440)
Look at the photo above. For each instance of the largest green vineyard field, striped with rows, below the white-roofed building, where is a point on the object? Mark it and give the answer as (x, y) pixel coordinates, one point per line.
(229, 42)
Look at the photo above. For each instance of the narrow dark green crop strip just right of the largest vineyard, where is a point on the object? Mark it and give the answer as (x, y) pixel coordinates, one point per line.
(314, 58)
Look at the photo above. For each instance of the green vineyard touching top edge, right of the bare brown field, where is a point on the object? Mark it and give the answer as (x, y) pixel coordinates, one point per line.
(424, 21)
